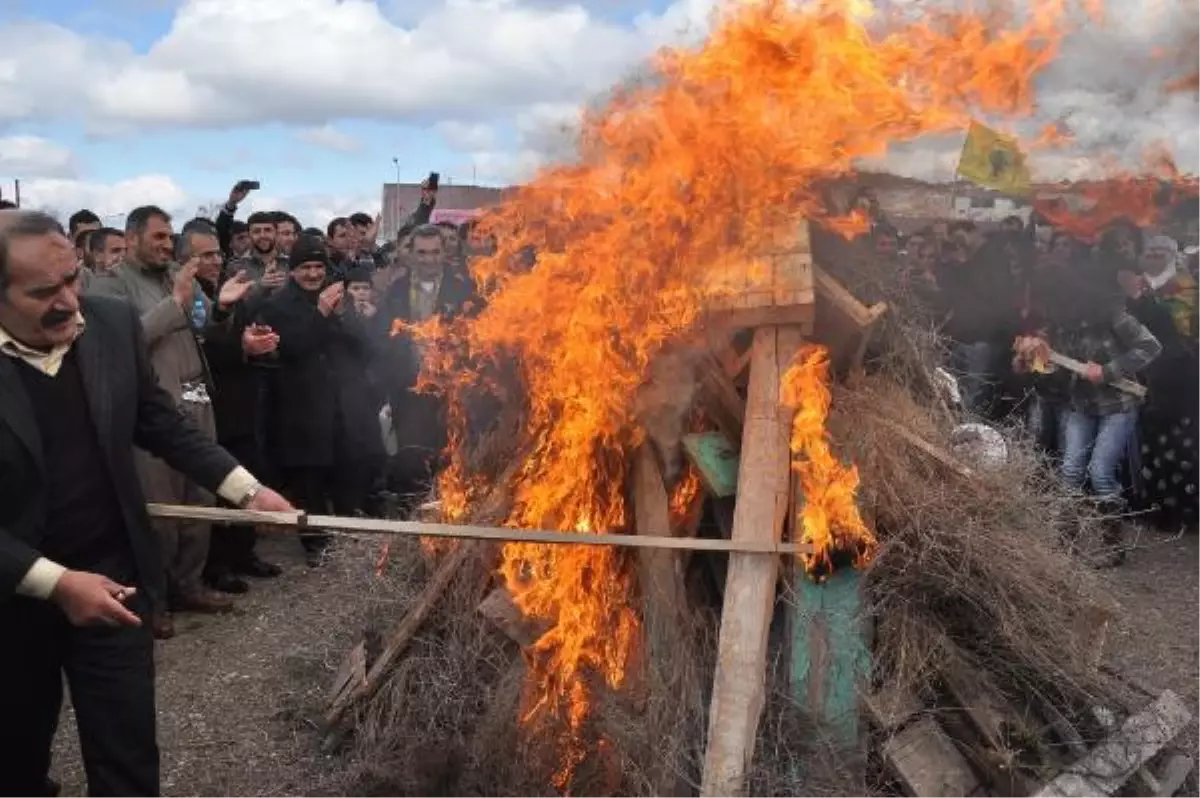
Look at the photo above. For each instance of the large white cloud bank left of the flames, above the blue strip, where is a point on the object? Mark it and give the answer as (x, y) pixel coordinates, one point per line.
(311, 62)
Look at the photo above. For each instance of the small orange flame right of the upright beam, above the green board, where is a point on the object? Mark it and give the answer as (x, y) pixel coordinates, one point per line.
(830, 519)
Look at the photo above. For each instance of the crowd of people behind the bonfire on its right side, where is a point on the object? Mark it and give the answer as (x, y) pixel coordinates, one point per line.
(1123, 302)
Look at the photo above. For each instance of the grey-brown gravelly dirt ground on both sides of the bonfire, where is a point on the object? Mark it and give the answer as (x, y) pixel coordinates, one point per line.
(239, 695)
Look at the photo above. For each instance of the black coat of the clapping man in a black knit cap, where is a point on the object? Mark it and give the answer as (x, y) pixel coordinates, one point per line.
(321, 412)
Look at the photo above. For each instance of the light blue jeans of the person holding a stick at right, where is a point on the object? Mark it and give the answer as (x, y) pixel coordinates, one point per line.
(1093, 449)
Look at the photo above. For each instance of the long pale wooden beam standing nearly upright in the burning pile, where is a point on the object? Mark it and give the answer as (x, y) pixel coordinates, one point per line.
(764, 490)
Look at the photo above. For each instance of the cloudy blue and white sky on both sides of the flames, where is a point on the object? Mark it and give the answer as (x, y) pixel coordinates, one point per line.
(111, 104)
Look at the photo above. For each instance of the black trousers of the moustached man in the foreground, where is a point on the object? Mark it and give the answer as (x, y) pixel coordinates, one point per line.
(111, 676)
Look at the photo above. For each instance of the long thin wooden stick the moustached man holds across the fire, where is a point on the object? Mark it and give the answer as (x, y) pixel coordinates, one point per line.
(501, 535)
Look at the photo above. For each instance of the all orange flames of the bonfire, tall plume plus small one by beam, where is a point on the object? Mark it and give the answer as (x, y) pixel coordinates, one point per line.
(722, 149)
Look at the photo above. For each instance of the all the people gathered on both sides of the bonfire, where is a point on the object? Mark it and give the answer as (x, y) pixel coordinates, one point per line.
(184, 363)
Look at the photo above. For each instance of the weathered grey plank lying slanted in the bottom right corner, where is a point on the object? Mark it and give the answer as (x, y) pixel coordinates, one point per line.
(1114, 761)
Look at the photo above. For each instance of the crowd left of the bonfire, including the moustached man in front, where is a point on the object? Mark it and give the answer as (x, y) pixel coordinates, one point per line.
(184, 363)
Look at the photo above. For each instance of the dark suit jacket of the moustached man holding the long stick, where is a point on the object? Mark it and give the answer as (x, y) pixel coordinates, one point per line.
(129, 409)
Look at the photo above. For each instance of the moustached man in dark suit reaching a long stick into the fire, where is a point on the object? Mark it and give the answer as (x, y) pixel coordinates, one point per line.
(79, 562)
